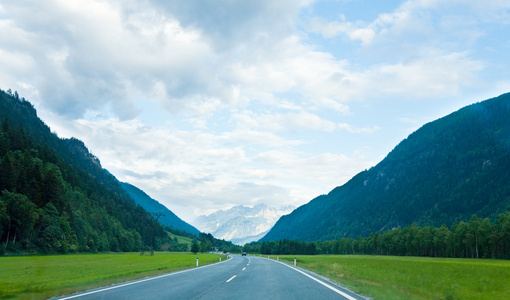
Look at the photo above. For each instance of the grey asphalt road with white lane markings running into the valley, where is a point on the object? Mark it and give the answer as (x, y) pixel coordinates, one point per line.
(241, 277)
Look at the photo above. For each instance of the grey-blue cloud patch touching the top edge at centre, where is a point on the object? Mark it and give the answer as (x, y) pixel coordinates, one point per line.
(228, 24)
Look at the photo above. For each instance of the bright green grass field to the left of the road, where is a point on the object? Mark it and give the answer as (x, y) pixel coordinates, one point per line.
(39, 277)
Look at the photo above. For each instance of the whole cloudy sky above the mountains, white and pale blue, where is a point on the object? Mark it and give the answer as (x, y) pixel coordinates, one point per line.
(209, 104)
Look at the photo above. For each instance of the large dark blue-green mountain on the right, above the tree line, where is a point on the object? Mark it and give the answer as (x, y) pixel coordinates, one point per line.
(444, 172)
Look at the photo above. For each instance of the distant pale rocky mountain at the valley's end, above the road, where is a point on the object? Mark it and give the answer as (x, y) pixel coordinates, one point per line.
(241, 224)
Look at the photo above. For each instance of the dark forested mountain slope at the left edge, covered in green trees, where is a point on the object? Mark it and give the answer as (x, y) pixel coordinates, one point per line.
(56, 197)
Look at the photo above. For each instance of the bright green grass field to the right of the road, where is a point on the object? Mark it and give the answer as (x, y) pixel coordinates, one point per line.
(390, 277)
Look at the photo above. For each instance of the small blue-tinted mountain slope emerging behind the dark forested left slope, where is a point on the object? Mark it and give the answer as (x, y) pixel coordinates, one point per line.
(167, 217)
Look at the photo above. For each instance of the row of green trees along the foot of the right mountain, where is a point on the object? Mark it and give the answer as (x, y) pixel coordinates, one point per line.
(477, 238)
